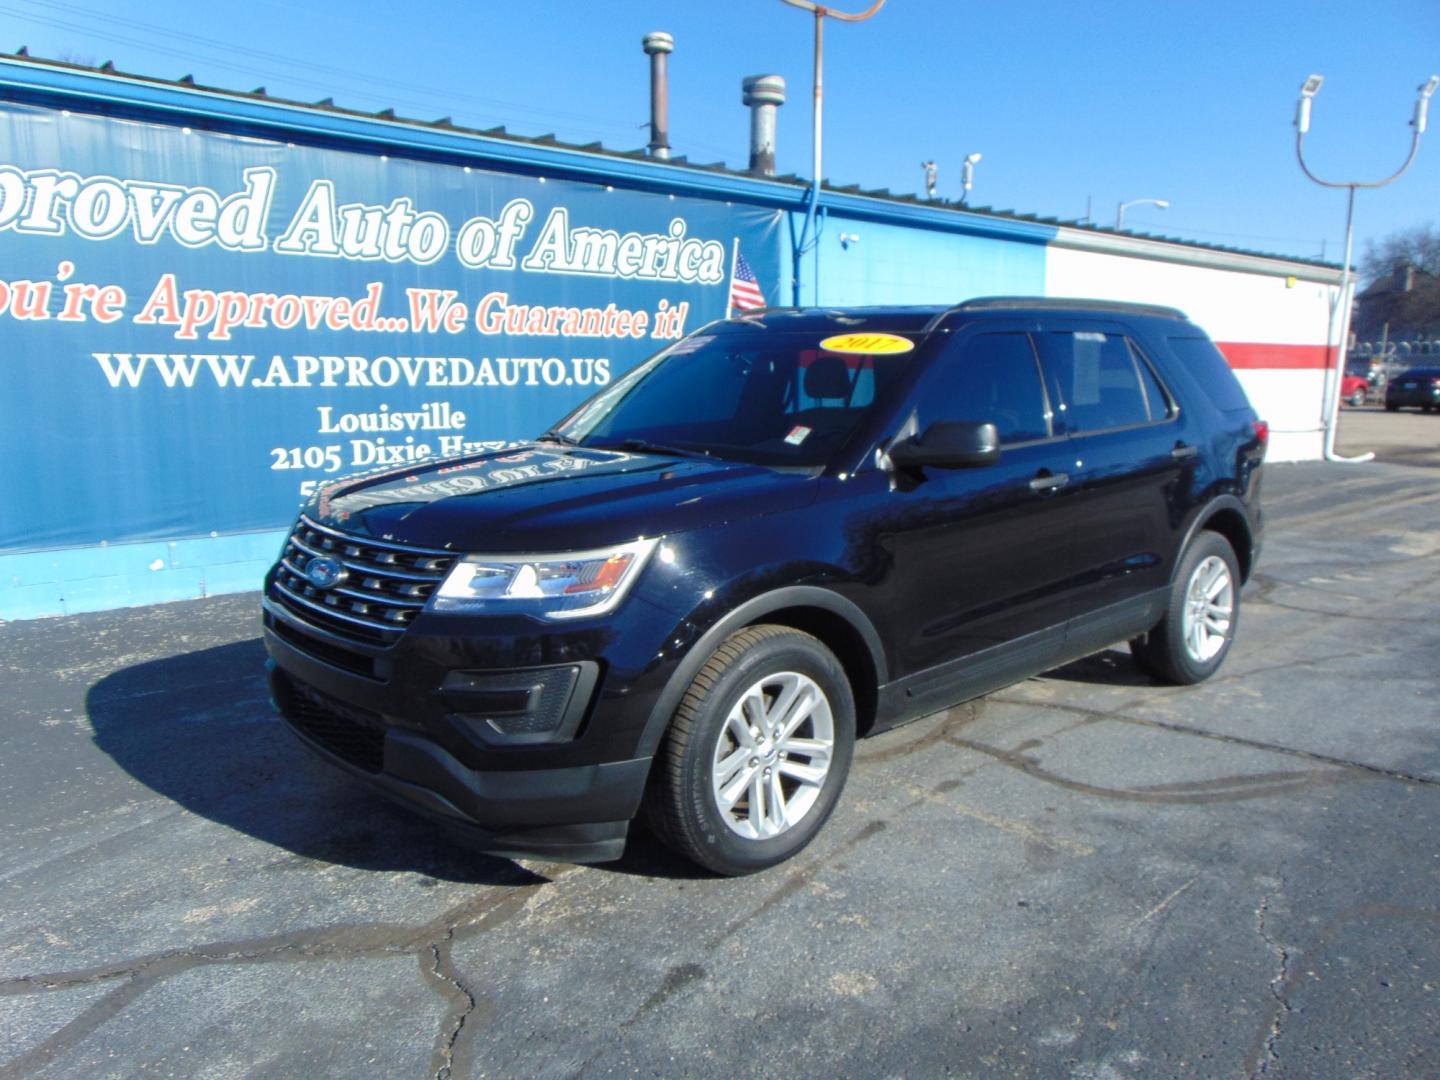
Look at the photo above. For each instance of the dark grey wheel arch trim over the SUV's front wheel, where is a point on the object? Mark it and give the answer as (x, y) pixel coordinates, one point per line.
(829, 617)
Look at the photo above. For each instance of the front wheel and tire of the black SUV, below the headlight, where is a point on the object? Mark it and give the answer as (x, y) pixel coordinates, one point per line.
(757, 755)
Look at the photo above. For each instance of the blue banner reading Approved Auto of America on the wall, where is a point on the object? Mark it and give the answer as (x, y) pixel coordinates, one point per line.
(198, 329)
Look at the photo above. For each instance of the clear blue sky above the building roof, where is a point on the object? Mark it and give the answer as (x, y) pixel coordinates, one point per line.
(1074, 106)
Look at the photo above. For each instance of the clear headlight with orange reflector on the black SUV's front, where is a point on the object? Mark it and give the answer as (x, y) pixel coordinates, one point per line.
(558, 587)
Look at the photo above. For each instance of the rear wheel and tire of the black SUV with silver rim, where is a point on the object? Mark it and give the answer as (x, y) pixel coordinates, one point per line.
(1192, 643)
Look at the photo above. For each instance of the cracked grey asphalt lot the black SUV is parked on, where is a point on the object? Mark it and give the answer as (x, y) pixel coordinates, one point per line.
(1085, 876)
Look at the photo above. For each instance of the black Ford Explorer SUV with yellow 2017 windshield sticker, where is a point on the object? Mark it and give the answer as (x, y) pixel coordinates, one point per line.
(783, 532)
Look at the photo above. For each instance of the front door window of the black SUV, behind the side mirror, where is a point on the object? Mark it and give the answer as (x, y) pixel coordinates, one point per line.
(990, 378)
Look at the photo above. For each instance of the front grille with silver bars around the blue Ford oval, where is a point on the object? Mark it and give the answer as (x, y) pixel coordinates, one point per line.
(384, 587)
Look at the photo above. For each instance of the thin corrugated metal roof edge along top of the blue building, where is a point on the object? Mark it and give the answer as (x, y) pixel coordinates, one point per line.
(680, 162)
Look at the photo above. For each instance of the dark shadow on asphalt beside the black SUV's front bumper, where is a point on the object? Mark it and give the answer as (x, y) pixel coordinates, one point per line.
(198, 728)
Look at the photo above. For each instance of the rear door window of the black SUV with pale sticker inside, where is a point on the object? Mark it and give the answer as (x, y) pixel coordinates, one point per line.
(1099, 379)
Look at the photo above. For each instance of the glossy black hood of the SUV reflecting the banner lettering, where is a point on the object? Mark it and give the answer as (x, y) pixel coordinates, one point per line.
(545, 498)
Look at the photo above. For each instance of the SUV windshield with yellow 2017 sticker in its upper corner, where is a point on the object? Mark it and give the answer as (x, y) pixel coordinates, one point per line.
(771, 398)
